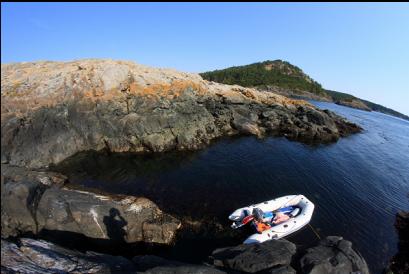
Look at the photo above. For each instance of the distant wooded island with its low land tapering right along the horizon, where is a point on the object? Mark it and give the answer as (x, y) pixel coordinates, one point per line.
(286, 79)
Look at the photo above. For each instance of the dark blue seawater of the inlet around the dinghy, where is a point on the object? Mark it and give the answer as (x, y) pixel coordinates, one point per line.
(357, 184)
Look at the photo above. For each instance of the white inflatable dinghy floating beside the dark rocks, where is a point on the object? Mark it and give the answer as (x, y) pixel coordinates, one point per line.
(297, 207)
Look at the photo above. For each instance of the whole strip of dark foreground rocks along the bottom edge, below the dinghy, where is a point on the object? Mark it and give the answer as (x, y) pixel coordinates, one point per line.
(331, 255)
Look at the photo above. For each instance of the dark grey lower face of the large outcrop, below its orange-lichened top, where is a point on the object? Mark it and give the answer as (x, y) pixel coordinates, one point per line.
(145, 125)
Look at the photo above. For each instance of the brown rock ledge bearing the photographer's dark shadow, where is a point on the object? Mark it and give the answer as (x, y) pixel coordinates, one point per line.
(32, 206)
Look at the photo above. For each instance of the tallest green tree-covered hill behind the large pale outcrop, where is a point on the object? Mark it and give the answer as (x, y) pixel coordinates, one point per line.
(278, 73)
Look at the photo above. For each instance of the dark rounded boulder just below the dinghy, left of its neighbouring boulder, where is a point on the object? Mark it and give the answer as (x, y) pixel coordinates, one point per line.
(270, 255)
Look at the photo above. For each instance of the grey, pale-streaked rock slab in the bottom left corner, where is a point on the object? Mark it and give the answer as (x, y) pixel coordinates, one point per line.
(38, 256)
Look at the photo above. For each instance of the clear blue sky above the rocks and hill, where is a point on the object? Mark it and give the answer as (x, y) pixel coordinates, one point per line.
(362, 49)
